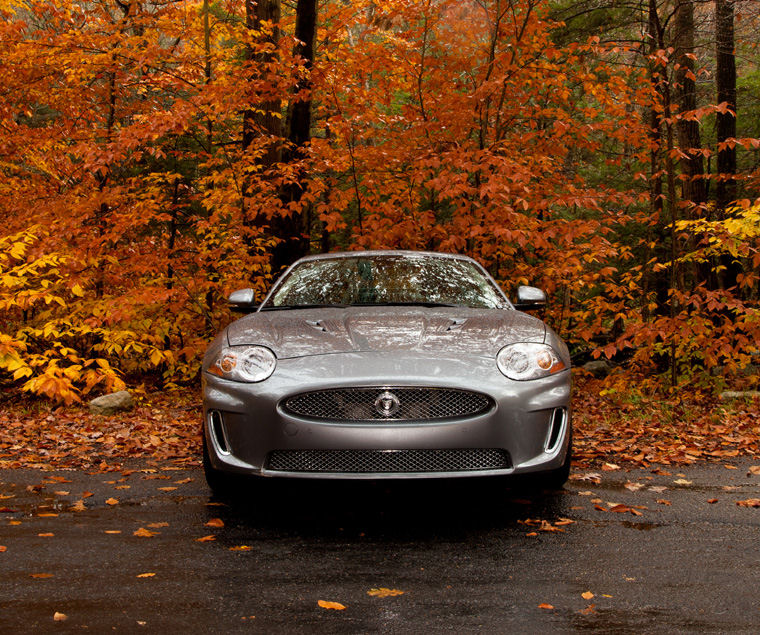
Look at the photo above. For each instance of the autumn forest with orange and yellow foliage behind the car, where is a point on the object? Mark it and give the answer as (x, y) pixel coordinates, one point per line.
(157, 155)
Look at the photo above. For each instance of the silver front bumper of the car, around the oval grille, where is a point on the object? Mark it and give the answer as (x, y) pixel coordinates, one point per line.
(245, 424)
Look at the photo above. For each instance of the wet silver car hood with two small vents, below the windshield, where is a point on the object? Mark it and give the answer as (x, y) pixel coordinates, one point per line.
(451, 331)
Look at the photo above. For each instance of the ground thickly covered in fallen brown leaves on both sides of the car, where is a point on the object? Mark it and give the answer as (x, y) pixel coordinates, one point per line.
(611, 431)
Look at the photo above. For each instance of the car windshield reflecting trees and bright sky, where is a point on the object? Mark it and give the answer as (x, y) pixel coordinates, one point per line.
(385, 280)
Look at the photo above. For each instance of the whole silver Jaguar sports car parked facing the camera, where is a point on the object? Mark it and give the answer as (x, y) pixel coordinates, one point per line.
(386, 364)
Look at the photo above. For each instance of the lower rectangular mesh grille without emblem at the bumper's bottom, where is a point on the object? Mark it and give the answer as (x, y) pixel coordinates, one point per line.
(387, 461)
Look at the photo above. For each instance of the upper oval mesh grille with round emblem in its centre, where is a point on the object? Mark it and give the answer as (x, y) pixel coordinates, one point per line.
(387, 404)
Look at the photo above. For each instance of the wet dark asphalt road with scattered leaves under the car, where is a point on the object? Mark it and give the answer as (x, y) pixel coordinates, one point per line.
(469, 556)
